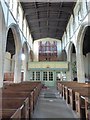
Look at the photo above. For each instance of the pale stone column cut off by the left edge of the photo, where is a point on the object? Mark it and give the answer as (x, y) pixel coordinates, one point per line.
(2, 46)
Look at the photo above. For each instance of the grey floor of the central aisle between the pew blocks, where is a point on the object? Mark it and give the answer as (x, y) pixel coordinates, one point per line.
(51, 105)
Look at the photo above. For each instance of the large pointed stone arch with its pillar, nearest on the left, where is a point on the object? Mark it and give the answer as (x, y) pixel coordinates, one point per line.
(13, 45)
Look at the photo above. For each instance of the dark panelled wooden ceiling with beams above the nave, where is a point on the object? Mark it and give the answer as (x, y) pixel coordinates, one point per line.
(47, 19)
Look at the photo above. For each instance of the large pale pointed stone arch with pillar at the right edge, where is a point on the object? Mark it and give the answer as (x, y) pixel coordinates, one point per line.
(81, 56)
